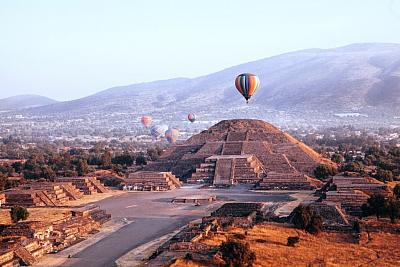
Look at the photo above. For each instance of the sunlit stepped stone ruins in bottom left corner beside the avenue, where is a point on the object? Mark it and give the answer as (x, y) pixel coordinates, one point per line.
(25, 242)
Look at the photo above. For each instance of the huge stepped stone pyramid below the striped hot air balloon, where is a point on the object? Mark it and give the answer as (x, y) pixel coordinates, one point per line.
(242, 151)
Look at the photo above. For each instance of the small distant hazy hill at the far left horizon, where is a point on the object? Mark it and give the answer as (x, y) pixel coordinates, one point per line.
(24, 101)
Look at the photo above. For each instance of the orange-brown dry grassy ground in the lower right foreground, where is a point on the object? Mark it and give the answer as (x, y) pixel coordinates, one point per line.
(268, 241)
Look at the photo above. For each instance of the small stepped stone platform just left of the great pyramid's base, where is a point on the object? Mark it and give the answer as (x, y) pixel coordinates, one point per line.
(151, 181)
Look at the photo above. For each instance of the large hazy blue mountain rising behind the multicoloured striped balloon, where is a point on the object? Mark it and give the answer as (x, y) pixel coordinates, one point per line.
(358, 78)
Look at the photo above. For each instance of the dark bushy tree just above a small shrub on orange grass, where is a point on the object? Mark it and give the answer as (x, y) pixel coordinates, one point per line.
(303, 217)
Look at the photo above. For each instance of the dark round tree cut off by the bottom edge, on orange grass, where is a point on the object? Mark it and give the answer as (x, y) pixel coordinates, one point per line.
(237, 254)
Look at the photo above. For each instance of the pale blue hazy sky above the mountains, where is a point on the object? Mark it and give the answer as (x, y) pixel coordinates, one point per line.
(70, 49)
